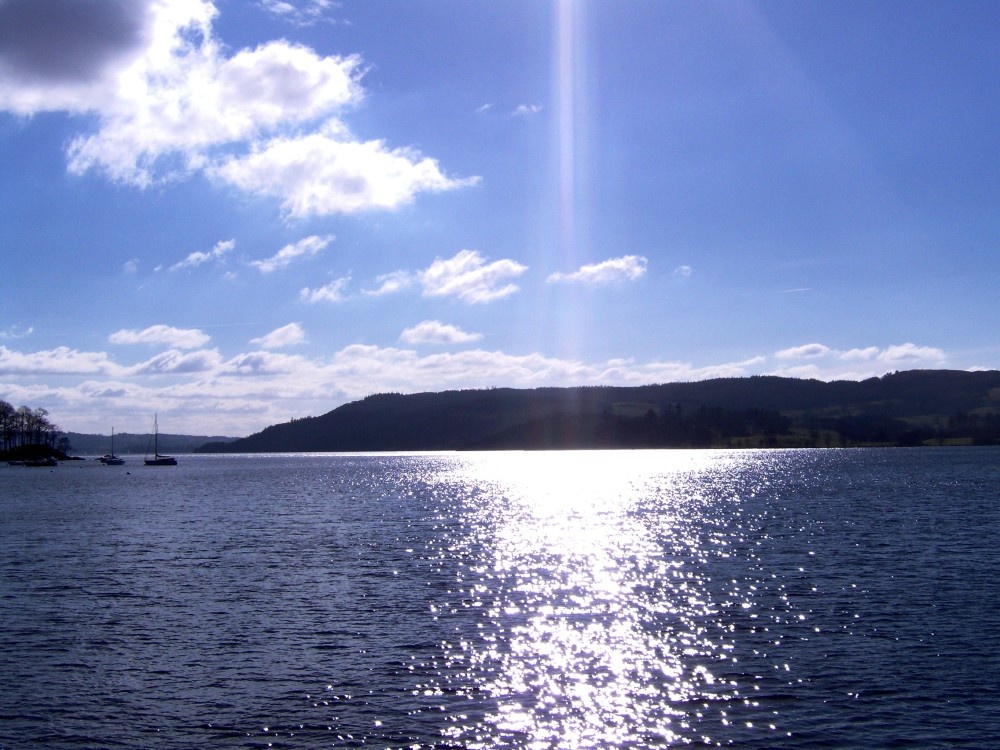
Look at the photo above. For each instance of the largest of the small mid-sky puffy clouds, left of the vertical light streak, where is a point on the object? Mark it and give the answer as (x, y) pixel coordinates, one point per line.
(469, 277)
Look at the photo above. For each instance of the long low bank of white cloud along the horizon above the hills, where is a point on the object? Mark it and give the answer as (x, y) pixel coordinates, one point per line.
(205, 393)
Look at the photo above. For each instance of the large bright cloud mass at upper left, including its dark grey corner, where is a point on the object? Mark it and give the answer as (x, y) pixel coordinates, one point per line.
(170, 102)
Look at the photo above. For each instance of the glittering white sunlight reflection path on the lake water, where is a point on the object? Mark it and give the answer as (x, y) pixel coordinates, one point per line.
(596, 629)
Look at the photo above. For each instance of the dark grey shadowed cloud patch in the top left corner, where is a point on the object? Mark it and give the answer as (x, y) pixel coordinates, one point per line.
(68, 40)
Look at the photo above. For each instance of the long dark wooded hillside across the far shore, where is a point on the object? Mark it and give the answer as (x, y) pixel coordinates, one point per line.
(904, 408)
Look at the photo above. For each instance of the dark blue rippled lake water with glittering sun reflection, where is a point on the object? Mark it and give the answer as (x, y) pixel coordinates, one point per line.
(758, 599)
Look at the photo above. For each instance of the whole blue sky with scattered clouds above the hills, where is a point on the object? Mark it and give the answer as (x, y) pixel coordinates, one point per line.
(236, 213)
